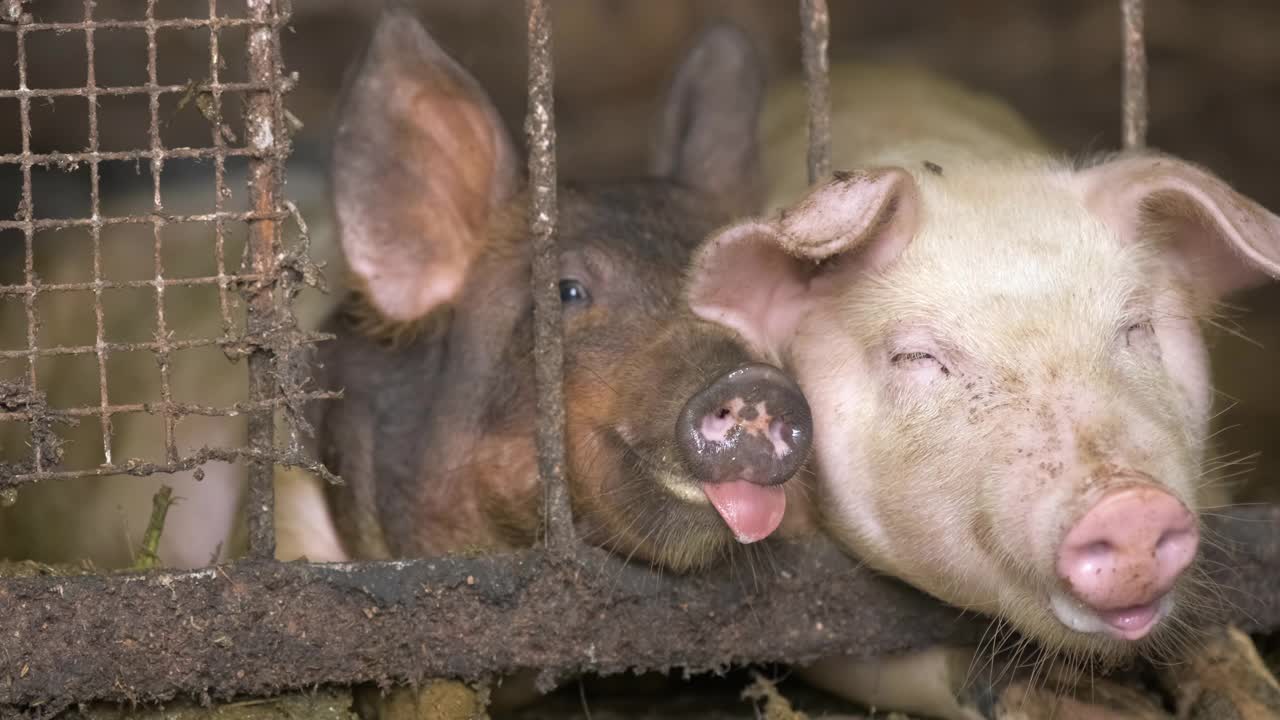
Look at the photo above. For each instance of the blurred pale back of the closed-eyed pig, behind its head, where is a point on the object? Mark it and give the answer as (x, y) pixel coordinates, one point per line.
(886, 115)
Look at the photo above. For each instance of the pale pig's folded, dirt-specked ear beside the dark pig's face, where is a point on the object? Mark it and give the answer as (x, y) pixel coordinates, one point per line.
(762, 277)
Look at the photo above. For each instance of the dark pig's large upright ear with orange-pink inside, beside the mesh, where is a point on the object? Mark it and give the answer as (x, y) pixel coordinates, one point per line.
(419, 162)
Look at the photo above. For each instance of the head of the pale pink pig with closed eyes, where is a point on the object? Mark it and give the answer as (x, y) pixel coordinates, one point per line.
(1004, 359)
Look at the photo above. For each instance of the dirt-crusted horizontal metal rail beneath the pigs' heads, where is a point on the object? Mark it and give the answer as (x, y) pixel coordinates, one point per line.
(260, 628)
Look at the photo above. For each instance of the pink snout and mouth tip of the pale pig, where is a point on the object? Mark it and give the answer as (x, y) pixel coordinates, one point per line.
(1123, 557)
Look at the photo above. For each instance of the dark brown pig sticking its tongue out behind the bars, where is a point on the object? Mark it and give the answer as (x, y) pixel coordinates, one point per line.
(679, 441)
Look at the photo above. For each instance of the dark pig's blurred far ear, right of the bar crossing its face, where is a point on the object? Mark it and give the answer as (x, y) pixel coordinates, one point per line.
(707, 139)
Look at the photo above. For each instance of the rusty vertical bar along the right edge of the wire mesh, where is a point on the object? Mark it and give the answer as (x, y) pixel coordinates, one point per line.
(262, 112)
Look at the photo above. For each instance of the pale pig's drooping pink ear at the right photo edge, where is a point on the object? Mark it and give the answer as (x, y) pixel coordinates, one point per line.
(1224, 240)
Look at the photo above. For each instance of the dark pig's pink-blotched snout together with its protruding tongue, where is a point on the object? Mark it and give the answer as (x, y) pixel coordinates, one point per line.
(743, 436)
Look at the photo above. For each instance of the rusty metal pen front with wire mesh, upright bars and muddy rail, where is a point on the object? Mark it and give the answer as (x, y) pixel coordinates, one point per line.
(258, 627)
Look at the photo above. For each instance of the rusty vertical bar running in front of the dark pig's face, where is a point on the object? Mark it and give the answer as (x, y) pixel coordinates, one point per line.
(548, 334)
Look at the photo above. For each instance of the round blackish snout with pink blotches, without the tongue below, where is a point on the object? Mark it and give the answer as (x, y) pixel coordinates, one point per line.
(752, 425)
